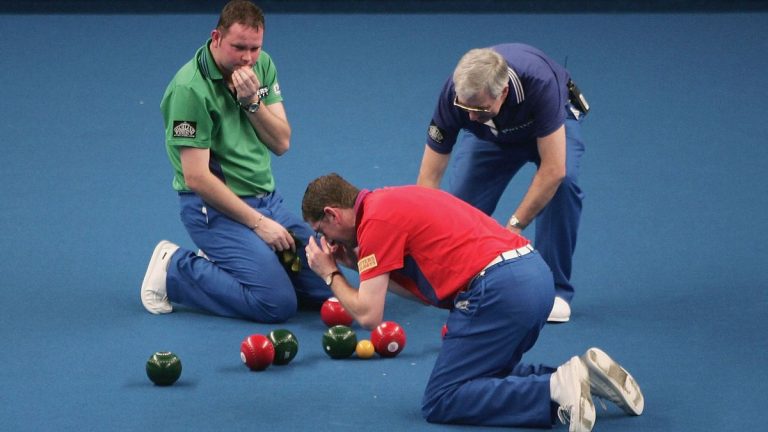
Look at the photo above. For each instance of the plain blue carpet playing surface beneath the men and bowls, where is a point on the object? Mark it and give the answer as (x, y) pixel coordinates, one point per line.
(670, 269)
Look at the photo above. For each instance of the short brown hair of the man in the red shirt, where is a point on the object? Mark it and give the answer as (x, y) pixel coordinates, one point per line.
(330, 190)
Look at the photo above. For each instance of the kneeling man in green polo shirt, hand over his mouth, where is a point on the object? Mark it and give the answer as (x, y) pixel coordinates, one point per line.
(223, 115)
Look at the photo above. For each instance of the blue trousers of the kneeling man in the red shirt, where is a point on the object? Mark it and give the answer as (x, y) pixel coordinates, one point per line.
(478, 378)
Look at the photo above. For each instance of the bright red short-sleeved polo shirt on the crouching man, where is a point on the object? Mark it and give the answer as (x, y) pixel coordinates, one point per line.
(449, 240)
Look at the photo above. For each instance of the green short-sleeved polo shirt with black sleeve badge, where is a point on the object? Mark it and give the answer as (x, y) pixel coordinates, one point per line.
(199, 111)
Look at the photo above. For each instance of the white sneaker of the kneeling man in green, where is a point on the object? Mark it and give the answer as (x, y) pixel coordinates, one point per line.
(153, 294)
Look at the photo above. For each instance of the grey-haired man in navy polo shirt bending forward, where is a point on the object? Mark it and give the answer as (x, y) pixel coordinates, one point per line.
(513, 105)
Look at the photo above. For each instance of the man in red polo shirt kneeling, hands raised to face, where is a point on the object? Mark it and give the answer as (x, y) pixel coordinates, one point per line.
(430, 246)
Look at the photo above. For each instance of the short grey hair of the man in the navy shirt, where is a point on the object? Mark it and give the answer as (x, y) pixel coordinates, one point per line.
(479, 70)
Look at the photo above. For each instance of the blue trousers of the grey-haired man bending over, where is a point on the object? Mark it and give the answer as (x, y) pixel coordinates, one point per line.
(481, 171)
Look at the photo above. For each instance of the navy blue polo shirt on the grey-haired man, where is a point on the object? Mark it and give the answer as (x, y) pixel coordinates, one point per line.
(535, 105)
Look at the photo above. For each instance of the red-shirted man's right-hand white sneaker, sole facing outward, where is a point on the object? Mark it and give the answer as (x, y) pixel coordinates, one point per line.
(608, 380)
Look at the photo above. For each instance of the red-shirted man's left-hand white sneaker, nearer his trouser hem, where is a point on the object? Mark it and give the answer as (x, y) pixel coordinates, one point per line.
(569, 387)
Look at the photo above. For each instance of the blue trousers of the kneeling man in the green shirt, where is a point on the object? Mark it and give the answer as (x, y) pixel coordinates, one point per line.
(242, 277)
